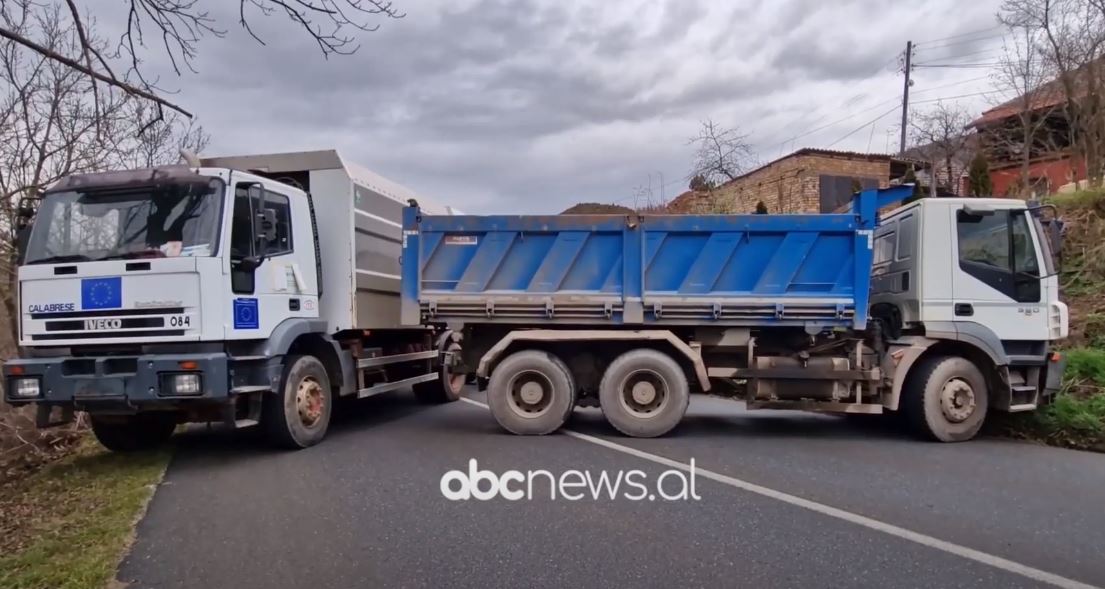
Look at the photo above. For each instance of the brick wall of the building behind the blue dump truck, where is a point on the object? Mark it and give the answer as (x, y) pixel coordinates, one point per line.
(793, 185)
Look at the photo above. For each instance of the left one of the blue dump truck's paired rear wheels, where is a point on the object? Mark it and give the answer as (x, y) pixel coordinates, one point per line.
(532, 393)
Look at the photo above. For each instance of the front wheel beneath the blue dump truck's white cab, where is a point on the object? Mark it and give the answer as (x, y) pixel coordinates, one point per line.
(945, 399)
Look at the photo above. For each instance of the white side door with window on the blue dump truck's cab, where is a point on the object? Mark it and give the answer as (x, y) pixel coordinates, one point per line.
(998, 280)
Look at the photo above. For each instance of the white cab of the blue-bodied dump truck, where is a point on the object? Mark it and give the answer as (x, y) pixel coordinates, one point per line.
(973, 277)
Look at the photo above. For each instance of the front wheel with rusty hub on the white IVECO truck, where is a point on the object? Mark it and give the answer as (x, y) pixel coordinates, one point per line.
(299, 414)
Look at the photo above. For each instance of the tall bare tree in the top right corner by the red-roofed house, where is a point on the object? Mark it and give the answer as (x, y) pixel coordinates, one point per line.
(1072, 39)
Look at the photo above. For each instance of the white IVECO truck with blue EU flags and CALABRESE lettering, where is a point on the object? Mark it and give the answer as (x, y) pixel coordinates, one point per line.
(237, 290)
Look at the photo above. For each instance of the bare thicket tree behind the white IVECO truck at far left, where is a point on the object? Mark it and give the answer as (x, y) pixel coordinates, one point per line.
(54, 124)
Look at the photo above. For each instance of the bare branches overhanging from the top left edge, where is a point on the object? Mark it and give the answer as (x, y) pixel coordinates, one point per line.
(177, 27)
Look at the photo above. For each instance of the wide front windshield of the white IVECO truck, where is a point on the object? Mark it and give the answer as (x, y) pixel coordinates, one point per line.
(164, 222)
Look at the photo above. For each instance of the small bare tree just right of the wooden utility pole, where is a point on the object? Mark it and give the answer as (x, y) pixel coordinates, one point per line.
(940, 135)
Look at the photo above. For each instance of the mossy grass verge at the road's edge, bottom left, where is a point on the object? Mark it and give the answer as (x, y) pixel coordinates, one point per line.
(67, 527)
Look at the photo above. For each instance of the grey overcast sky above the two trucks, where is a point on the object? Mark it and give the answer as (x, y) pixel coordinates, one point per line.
(534, 106)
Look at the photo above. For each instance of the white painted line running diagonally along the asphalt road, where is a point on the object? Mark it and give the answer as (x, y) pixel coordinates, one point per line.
(923, 540)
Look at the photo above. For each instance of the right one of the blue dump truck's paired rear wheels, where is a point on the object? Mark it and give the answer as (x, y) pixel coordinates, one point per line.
(645, 394)
